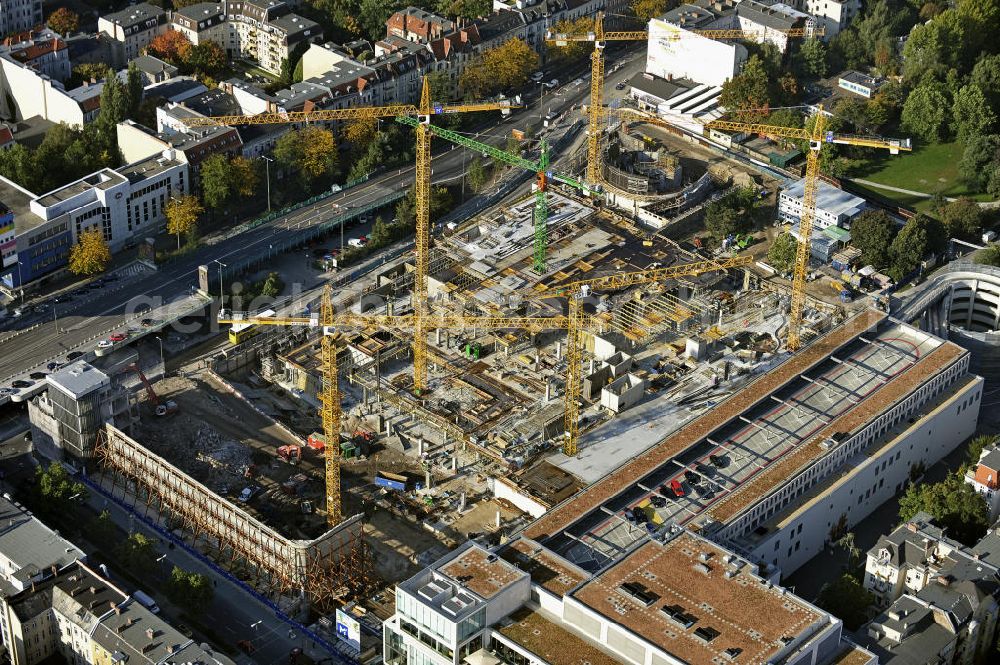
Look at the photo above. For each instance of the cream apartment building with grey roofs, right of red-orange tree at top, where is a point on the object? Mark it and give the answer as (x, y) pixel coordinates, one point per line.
(265, 31)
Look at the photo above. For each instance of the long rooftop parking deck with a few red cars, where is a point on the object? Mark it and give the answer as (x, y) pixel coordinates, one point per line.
(742, 449)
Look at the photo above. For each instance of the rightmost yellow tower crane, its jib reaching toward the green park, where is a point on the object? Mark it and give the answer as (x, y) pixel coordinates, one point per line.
(816, 138)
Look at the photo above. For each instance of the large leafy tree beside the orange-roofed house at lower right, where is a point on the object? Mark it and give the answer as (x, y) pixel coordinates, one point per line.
(954, 505)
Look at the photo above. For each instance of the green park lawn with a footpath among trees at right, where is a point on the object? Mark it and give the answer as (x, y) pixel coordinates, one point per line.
(930, 168)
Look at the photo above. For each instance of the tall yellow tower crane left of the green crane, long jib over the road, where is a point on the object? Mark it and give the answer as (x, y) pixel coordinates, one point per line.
(422, 182)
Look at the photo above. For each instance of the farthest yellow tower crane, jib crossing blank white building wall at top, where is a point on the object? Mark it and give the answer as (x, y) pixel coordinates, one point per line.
(600, 36)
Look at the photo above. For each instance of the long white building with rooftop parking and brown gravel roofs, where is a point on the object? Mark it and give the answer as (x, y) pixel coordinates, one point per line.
(768, 476)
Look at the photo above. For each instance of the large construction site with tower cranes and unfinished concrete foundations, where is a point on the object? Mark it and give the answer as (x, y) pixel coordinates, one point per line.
(467, 388)
